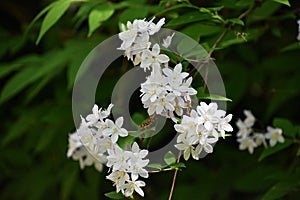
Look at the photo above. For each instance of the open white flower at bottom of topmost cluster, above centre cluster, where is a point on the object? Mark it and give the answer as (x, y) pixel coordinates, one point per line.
(153, 58)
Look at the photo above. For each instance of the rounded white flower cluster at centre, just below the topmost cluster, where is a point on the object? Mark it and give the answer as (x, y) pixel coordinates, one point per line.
(166, 91)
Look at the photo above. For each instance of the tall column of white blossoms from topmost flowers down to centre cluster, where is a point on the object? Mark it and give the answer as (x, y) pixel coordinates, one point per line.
(165, 91)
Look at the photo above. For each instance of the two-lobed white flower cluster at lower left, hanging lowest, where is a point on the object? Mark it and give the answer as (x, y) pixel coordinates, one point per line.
(95, 142)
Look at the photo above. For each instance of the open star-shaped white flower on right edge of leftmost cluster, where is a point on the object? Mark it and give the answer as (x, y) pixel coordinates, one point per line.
(115, 129)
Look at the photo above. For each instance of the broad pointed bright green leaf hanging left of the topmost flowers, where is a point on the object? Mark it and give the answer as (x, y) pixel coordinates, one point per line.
(98, 15)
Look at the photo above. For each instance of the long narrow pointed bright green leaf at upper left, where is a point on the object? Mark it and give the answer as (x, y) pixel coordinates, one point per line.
(53, 16)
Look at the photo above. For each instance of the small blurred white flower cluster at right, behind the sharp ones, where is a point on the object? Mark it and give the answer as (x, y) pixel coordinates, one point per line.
(250, 139)
